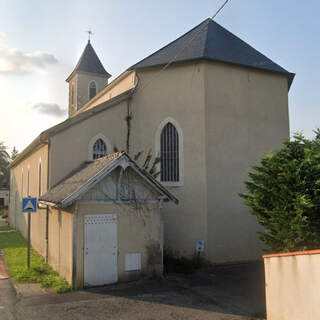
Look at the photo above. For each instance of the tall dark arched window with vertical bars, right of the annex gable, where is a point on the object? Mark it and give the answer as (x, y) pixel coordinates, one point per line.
(169, 153)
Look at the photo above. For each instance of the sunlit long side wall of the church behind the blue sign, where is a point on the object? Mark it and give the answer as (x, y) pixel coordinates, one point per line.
(18, 190)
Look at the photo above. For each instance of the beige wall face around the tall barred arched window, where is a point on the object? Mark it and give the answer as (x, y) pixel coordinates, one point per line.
(178, 92)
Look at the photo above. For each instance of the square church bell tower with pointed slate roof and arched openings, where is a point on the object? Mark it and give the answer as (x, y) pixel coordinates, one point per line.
(86, 80)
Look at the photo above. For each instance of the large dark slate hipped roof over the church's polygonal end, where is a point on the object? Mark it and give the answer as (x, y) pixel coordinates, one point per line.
(213, 42)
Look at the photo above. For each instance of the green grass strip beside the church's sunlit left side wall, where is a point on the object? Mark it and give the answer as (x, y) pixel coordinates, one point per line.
(14, 247)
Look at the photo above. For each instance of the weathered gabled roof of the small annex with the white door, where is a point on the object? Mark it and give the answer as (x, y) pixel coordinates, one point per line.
(89, 174)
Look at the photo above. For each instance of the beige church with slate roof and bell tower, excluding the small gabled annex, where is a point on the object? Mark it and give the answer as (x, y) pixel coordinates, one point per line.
(207, 104)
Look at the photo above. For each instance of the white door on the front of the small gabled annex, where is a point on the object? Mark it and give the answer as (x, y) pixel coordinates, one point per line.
(100, 249)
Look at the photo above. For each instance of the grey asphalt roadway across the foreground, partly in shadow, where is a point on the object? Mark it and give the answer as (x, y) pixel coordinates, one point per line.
(232, 293)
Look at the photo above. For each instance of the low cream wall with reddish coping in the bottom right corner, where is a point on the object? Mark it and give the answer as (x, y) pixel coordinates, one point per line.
(293, 285)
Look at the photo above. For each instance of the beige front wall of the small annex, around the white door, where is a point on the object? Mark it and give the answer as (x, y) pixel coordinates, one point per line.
(137, 232)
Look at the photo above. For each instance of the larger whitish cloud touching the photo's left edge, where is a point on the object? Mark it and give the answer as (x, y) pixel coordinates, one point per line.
(15, 62)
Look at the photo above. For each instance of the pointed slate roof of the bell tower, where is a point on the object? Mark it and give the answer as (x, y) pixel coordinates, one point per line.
(90, 62)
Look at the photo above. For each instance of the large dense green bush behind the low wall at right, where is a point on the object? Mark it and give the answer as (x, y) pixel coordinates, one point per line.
(283, 192)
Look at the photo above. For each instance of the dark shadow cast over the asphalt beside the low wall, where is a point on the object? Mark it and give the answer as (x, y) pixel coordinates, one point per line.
(230, 289)
